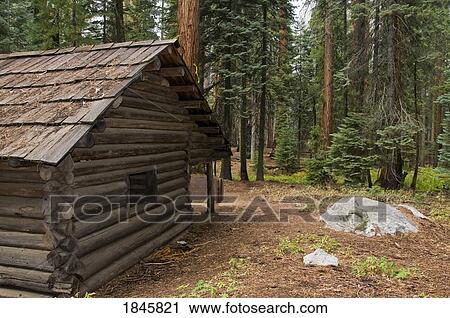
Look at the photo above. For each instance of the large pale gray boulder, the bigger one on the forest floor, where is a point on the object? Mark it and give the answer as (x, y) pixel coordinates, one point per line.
(366, 217)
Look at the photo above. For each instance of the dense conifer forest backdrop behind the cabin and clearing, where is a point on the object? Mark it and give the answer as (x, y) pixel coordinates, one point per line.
(360, 92)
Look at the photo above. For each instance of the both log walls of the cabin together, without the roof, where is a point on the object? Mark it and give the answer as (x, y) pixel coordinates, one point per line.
(51, 250)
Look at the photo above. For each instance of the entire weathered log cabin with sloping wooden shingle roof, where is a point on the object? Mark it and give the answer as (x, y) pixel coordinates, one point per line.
(108, 123)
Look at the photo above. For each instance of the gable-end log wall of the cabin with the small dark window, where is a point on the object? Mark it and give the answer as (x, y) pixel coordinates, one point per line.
(147, 132)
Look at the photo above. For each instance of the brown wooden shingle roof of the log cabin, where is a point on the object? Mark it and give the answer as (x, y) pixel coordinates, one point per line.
(50, 99)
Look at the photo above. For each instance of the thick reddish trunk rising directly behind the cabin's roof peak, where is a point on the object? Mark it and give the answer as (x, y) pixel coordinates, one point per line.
(189, 33)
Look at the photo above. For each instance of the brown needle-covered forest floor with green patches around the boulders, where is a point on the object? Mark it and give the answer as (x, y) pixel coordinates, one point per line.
(265, 259)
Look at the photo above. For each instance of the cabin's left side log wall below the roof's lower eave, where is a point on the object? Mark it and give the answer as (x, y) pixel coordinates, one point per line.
(27, 240)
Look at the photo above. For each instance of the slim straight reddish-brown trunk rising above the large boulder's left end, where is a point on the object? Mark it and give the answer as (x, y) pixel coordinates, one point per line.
(327, 112)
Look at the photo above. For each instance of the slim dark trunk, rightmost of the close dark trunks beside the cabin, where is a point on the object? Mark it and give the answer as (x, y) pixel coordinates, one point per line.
(262, 111)
